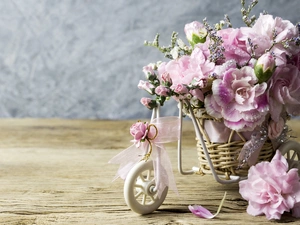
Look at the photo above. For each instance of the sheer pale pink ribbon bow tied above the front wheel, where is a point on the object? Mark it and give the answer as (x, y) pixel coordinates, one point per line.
(168, 131)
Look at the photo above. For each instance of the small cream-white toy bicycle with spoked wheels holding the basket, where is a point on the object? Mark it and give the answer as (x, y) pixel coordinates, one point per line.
(140, 188)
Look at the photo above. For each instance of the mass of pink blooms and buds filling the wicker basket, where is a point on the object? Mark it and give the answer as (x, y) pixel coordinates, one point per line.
(255, 76)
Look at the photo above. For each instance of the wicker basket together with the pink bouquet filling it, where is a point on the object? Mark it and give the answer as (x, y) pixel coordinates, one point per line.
(242, 84)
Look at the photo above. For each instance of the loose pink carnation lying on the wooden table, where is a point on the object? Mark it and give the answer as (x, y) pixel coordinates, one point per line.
(271, 189)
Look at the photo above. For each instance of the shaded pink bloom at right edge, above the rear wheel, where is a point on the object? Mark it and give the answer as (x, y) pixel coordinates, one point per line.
(284, 91)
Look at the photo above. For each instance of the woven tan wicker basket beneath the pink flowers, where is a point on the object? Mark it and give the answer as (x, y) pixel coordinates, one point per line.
(224, 154)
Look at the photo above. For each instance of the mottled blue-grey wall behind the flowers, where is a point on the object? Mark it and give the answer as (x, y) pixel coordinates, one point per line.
(84, 58)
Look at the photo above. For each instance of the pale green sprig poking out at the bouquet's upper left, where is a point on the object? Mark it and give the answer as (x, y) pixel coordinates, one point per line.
(173, 51)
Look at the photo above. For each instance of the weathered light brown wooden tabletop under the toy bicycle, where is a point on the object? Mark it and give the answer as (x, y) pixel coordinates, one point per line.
(55, 171)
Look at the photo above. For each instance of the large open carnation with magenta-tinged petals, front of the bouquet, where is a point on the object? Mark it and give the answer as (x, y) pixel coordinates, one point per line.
(238, 99)
